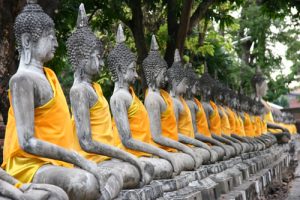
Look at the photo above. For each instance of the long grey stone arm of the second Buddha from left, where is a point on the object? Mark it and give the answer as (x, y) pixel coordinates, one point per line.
(80, 108)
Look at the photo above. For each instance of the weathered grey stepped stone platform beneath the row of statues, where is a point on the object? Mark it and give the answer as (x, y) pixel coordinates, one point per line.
(240, 178)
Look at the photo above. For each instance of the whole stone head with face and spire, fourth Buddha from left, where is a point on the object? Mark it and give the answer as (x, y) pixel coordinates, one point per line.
(155, 67)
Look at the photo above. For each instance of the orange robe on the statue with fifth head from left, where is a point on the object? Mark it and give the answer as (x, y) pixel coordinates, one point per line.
(185, 123)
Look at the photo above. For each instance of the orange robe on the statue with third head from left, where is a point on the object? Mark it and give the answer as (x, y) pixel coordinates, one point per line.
(139, 125)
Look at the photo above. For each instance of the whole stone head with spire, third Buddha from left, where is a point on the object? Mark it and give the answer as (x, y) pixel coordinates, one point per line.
(122, 62)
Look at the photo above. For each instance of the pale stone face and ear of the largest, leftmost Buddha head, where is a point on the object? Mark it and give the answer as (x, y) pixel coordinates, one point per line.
(43, 50)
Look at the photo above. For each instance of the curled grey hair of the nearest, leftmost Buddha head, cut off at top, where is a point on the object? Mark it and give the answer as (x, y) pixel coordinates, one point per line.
(32, 20)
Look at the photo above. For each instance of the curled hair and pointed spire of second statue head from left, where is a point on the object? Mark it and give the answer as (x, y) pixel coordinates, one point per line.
(82, 41)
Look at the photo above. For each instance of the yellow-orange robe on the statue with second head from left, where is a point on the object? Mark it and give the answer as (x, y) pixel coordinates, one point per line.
(101, 126)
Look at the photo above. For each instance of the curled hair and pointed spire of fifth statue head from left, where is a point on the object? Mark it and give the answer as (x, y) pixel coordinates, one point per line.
(176, 71)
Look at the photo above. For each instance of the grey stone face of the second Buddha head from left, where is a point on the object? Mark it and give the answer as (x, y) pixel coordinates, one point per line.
(94, 63)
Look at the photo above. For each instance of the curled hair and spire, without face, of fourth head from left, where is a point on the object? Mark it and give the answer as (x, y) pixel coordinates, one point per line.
(153, 63)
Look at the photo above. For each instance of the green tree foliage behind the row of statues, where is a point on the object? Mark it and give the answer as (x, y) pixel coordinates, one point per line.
(218, 30)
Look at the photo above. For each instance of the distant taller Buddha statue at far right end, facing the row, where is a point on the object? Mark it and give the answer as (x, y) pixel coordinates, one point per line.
(260, 86)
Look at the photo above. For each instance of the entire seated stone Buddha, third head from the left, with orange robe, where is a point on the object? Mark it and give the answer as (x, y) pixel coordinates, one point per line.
(130, 117)
